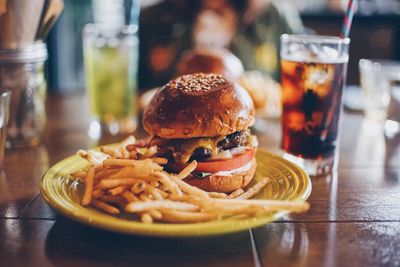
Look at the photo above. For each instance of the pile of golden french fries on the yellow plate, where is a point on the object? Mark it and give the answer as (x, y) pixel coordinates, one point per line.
(130, 178)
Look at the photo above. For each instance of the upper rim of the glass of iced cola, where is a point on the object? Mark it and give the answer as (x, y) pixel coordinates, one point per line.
(309, 38)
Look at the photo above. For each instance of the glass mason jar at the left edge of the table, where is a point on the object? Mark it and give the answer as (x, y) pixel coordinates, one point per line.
(22, 73)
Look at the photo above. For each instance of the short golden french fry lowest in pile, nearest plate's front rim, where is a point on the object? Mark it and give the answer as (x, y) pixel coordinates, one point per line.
(176, 216)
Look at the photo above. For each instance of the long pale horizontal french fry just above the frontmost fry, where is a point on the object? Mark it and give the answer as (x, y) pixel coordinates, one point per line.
(159, 204)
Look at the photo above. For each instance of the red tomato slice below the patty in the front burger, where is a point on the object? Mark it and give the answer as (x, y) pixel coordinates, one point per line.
(235, 162)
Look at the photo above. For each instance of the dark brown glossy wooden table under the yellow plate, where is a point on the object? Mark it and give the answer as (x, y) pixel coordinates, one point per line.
(354, 218)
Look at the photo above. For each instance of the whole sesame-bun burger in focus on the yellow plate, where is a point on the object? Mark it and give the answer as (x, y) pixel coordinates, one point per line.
(204, 117)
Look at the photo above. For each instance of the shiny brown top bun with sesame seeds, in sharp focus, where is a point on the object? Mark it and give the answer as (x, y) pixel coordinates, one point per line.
(198, 105)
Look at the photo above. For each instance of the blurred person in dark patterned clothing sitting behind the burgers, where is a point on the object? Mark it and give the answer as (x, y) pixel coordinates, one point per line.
(249, 28)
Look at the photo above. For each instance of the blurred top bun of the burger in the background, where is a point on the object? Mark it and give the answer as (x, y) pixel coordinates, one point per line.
(206, 60)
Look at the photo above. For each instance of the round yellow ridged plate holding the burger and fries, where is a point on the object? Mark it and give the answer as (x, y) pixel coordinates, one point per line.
(289, 182)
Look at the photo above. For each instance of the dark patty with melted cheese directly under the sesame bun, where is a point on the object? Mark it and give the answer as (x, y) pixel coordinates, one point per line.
(205, 148)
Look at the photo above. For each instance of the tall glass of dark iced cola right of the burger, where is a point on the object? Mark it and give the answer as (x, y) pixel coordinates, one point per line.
(313, 70)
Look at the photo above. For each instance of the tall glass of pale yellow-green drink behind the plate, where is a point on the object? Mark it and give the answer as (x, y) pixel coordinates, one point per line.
(111, 59)
